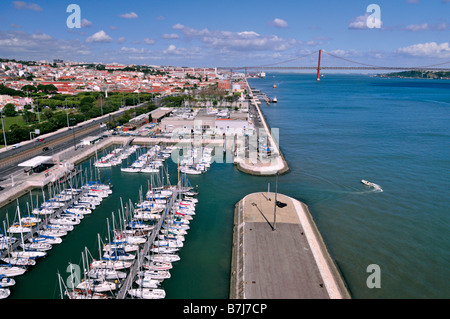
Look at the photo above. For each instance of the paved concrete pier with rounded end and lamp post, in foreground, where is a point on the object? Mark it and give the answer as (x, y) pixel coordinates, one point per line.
(286, 259)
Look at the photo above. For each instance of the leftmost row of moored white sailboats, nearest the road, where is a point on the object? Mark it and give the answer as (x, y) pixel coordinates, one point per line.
(32, 236)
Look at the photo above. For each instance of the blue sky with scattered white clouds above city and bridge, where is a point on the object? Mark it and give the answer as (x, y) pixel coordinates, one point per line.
(227, 33)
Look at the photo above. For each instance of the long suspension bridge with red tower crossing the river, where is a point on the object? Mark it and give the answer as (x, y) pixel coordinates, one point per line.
(354, 65)
